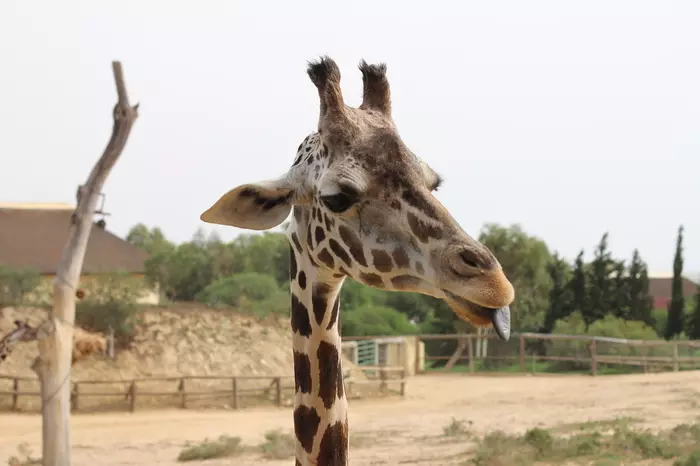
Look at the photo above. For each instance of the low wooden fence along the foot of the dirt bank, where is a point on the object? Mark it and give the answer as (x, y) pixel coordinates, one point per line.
(228, 392)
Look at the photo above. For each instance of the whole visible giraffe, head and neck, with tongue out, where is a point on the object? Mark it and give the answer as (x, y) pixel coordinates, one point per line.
(363, 207)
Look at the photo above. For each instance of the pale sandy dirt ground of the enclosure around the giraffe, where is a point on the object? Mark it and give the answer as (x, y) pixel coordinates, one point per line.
(388, 431)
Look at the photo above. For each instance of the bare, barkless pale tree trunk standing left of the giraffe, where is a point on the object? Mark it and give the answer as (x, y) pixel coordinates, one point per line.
(53, 366)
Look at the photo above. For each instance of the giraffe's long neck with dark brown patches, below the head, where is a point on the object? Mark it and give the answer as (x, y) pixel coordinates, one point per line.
(320, 405)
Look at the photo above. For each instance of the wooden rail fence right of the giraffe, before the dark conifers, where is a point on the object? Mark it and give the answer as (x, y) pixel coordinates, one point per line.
(552, 353)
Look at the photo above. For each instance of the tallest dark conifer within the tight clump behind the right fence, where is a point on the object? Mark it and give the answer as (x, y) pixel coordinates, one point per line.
(600, 285)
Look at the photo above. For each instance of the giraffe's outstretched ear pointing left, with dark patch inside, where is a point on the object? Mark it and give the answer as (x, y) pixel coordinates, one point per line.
(253, 206)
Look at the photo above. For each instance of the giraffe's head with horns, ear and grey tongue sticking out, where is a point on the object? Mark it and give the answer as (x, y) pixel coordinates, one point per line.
(364, 208)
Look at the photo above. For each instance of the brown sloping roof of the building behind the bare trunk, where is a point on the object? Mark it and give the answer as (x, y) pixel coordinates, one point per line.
(34, 235)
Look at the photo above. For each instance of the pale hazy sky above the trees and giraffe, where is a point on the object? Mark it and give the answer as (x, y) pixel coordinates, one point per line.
(569, 118)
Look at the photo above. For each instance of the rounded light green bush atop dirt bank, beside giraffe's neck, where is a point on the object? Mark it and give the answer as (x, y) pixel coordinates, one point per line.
(239, 289)
